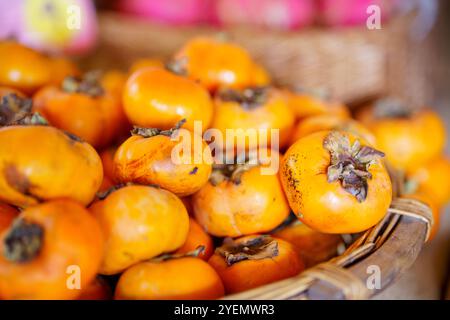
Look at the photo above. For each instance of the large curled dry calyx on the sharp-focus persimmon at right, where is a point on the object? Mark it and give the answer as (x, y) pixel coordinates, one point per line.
(350, 163)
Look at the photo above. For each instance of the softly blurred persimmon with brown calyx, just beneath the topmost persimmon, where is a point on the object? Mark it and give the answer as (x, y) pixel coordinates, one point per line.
(257, 108)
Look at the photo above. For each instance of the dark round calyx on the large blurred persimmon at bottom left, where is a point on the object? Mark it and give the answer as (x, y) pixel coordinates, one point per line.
(23, 241)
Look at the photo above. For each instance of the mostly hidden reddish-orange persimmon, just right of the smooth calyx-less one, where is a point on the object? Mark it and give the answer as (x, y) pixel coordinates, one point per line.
(197, 237)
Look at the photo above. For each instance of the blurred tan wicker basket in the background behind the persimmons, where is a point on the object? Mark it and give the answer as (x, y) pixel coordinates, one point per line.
(354, 64)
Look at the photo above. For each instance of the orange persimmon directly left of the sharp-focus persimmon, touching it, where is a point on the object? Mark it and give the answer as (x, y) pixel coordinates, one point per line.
(240, 199)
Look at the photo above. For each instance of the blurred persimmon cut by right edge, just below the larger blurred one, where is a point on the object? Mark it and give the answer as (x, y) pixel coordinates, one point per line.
(434, 179)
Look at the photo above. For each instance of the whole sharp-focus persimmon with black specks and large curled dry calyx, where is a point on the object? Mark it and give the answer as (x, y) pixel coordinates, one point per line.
(335, 182)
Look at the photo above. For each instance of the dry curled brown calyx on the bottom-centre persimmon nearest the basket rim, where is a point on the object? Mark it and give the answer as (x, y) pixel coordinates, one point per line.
(262, 247)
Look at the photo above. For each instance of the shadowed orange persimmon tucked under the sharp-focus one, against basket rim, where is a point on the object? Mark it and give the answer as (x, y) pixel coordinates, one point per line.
(312, 247)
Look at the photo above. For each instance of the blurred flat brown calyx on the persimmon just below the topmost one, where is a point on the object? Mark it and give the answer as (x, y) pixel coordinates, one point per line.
(249, 98)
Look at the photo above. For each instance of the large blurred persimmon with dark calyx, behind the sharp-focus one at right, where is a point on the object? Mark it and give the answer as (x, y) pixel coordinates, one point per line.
(410, 138)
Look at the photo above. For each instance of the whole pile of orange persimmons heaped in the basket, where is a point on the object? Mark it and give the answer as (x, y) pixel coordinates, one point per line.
(93, 205)
